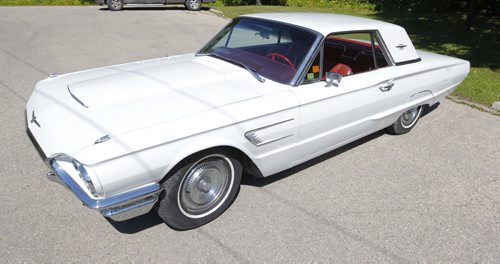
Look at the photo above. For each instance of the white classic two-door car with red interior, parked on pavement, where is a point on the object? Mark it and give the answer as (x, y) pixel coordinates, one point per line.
(267, 93)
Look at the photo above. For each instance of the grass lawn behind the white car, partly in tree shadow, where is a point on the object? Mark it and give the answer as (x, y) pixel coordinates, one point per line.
(444, 34)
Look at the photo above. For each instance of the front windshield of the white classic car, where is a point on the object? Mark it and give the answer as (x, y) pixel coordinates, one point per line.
(270, 49)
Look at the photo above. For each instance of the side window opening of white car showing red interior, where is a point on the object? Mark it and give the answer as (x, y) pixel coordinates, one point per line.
(353, 53)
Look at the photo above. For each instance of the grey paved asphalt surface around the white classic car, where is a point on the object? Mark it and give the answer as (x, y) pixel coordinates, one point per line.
(433, 194)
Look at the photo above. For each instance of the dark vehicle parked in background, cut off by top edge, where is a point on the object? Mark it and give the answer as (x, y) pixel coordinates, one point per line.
(115, 5)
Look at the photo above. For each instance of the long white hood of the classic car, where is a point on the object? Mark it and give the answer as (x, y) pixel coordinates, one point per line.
(72, 111)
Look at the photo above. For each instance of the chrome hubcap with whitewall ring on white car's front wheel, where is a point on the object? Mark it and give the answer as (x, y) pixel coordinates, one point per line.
(205, 186)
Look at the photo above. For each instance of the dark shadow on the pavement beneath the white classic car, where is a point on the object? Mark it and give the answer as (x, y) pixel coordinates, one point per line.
(151, 219)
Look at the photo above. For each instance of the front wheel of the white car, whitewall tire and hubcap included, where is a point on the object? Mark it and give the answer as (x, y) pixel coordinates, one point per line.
(200, 190)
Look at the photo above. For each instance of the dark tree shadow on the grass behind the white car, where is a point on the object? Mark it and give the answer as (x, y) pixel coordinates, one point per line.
(446, 34)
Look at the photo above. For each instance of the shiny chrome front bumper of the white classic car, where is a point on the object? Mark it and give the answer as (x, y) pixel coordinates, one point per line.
(118, 207)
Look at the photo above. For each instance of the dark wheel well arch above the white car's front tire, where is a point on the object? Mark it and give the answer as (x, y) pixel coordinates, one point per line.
(249, 166)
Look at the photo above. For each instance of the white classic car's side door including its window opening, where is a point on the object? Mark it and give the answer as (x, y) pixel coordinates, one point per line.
(335, 115)
